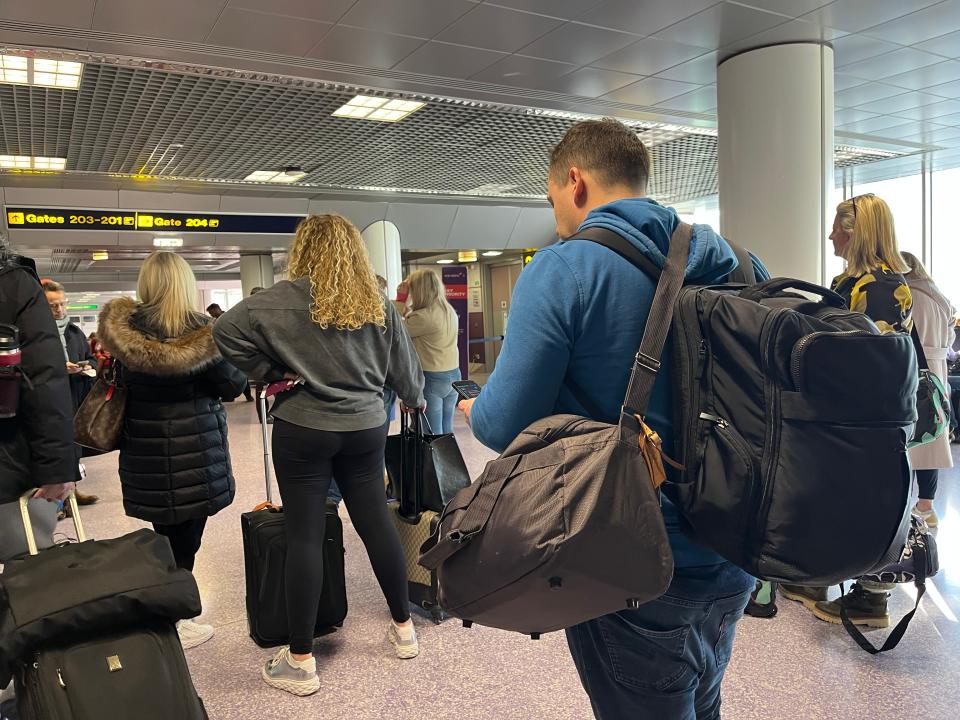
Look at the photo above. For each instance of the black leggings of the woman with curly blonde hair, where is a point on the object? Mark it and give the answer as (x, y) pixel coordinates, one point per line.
(305, 460)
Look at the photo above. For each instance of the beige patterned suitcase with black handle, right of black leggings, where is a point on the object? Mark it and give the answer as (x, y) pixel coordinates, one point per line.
(415, 524)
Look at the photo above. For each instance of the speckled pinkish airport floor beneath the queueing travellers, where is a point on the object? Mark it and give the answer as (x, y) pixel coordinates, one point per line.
(793, 666)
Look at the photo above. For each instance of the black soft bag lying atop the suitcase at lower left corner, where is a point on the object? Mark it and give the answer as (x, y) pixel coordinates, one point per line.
(74, 590)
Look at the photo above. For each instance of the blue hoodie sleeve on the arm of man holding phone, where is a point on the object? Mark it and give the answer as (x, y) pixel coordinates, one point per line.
(536, 351)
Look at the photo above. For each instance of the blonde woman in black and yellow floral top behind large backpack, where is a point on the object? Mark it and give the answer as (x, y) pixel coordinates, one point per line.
(873, 283)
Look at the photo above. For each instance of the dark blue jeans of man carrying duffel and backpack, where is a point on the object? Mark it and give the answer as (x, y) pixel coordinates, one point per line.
(667, 659)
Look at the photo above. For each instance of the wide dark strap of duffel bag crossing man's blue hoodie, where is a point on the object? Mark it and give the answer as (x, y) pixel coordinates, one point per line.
(646, 364)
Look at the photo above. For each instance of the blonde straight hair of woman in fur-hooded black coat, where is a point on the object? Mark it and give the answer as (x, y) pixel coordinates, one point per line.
(168, 290)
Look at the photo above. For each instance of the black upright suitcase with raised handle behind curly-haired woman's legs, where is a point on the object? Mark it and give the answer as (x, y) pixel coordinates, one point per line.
(265, 552)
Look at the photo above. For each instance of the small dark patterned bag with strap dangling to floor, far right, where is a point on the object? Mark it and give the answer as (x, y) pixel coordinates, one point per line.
(918, 562)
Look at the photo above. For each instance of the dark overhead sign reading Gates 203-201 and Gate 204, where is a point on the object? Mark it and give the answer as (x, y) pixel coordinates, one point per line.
(74, 219)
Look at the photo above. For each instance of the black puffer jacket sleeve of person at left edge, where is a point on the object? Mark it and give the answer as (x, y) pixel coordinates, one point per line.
(46, 410)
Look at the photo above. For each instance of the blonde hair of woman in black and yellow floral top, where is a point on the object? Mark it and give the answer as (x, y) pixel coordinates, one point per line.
(874, 239)
